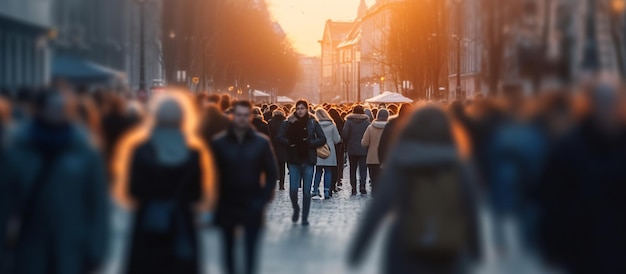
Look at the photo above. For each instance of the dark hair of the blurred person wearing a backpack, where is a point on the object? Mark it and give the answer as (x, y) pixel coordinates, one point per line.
(429, 125)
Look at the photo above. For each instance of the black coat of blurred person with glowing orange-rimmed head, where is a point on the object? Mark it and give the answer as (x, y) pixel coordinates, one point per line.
(151, 181)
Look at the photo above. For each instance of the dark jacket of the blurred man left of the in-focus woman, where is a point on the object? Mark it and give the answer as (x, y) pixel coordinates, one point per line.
(242, 196)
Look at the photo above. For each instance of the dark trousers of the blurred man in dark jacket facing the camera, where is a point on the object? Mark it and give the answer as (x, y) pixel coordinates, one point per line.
(251, 234)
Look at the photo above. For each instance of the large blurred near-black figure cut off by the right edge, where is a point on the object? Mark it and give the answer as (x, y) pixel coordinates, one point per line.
(582, 192)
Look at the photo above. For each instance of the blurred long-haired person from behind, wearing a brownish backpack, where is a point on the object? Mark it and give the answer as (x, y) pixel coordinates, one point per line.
(427, 187)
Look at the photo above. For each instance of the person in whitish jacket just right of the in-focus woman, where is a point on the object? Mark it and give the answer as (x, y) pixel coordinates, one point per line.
(324, 166)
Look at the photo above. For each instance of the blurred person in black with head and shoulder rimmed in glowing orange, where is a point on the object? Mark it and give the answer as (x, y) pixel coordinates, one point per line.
(169, 174)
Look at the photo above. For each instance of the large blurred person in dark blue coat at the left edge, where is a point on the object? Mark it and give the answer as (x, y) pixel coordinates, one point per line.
(53, 193)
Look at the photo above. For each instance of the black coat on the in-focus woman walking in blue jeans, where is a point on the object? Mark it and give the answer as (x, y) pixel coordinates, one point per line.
(315, 136)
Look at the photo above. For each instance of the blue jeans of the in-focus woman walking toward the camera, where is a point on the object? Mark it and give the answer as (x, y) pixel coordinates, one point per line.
(300, 173)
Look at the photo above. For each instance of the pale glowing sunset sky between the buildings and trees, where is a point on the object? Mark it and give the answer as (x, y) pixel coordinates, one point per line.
(303, 20)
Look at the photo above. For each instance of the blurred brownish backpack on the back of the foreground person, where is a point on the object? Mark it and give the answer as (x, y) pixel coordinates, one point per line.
(436, 224)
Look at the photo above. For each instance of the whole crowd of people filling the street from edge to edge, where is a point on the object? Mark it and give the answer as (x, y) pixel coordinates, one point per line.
(548, 169)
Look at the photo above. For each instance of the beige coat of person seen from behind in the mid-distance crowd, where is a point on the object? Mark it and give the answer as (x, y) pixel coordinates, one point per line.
(353, 131)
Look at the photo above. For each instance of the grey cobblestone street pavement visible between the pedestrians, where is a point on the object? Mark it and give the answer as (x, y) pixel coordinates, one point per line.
(286, 247)
